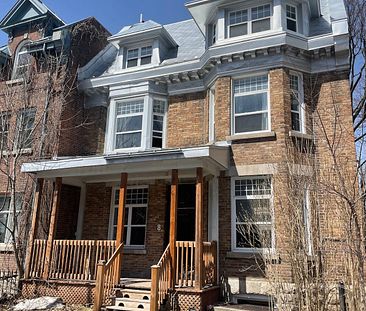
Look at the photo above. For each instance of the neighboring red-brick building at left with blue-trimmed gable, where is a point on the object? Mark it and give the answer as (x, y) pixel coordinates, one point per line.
(38, 102)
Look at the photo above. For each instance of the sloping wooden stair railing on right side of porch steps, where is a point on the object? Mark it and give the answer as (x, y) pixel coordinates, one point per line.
(161, 280)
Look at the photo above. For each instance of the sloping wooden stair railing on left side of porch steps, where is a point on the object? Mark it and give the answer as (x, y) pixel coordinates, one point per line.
(107, 278)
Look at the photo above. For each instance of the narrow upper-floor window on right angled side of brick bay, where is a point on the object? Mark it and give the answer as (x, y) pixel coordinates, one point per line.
(297, 105)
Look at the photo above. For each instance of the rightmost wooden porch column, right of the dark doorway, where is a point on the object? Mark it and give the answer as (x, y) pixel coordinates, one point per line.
(199, 230)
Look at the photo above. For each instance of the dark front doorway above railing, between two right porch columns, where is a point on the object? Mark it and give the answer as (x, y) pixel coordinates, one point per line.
(186, 212)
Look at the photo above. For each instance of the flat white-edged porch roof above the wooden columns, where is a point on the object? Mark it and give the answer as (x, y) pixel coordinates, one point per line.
(211, 158)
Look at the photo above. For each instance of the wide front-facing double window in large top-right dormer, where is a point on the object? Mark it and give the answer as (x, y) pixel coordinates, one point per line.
(251, 20)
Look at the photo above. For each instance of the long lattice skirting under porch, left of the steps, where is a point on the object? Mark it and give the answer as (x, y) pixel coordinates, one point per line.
(70, 292)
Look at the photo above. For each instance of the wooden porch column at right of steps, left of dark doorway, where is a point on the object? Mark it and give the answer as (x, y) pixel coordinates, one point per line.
(173, 223)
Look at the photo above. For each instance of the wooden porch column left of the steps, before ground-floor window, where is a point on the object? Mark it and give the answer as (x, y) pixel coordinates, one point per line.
(121, 221)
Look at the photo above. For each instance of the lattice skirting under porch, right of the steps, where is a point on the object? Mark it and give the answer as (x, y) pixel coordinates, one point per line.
(189, 299)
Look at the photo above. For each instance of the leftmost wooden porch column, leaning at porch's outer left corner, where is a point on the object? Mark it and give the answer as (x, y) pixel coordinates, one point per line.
(34, 226)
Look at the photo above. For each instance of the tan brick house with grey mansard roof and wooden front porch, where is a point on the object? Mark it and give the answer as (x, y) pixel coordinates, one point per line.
(192, 126)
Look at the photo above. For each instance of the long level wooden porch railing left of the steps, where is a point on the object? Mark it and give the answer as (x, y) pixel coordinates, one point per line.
(71, 259)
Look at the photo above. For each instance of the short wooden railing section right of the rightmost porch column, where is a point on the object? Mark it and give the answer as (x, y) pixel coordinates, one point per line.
(210, 263)
